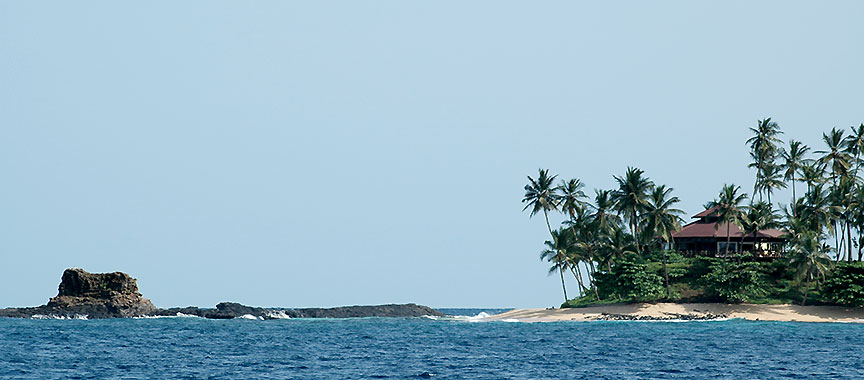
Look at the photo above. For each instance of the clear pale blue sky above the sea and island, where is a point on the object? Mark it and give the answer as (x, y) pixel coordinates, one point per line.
(331, 153)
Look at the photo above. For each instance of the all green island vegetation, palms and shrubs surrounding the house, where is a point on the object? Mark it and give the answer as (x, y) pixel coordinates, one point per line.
(619, 246)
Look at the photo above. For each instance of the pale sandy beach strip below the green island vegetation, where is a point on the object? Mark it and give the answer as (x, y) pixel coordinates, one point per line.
(785, 313)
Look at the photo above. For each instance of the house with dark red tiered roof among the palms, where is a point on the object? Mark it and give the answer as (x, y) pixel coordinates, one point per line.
(706, 236)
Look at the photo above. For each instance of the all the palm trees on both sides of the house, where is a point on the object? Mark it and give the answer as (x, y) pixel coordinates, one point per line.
(640, 213)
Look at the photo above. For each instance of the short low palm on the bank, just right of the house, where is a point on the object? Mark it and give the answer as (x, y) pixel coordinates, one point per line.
(810, 259)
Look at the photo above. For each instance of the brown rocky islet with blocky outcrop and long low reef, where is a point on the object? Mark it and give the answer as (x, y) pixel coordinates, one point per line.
(115, 295)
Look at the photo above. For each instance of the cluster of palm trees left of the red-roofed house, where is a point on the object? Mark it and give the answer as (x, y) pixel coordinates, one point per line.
(596, 232)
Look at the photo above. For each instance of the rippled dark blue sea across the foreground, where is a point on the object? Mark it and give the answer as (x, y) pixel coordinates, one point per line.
(416, 348)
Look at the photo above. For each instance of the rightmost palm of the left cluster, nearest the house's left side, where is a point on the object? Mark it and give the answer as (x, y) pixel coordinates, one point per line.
(663, 220)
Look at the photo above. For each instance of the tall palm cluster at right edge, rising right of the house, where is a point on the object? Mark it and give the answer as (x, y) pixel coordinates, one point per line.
(832, 208)
